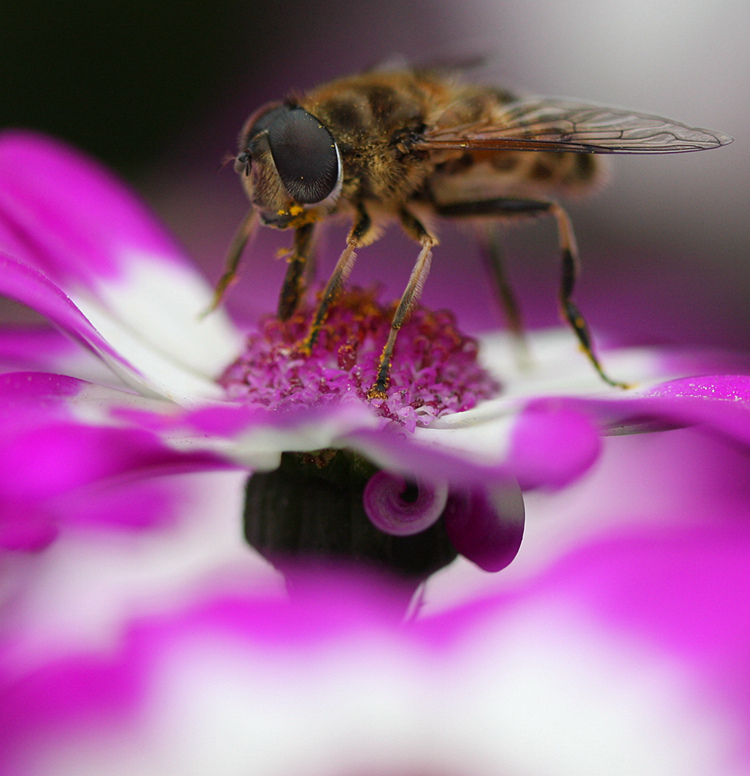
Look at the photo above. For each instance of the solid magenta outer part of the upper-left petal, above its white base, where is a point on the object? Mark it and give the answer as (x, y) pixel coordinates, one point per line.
(68, 216)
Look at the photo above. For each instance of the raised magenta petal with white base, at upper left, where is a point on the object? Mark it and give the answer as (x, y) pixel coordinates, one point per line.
(84, 231)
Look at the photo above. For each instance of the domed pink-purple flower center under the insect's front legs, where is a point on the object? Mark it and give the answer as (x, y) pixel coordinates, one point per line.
(434, 369)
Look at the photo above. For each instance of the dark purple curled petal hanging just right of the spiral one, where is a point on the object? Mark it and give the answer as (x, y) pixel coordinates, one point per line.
(486, 526)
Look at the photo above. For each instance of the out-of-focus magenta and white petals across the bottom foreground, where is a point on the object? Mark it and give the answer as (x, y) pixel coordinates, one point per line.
(605, 650)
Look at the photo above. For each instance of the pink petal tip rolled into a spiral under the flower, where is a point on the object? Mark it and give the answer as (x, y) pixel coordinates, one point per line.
(387, 503)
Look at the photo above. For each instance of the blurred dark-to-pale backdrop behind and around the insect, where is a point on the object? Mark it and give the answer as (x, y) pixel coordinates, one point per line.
(158, 91)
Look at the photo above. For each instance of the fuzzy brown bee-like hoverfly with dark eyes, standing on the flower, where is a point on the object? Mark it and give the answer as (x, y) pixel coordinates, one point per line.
(414, 145)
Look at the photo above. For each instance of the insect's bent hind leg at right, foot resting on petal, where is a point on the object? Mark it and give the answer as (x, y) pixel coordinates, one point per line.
(507, 207)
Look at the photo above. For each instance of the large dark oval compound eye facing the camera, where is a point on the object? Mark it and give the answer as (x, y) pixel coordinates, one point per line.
(305, 154)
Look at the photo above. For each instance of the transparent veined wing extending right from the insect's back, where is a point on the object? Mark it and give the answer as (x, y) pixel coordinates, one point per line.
(559, 125)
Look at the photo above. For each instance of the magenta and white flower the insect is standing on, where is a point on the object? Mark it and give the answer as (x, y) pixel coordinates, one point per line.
(83, 252)
